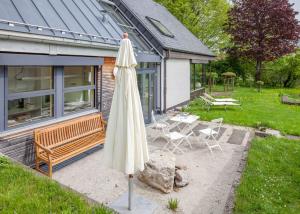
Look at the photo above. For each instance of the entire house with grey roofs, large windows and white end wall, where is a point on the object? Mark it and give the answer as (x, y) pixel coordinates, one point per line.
(57, 58)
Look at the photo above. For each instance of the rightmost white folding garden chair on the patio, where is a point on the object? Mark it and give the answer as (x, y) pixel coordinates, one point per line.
(211, 133)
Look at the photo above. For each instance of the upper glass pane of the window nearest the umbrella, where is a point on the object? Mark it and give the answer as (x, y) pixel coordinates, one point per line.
(78, 76)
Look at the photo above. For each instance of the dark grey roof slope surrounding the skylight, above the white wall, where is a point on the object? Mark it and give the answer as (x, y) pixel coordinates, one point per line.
(183, 41)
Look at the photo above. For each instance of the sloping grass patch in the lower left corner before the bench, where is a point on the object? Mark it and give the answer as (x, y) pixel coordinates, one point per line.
(22, 191)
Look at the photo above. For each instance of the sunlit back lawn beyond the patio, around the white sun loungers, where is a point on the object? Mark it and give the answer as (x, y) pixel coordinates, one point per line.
(264, 108)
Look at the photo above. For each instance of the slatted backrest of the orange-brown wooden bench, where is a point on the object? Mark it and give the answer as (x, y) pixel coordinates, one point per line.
(68, 131)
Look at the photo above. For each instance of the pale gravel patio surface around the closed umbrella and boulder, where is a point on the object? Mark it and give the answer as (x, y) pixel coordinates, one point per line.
(212, 176)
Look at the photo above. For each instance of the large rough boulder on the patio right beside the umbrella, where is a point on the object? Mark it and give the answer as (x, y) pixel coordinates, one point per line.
(159, 171)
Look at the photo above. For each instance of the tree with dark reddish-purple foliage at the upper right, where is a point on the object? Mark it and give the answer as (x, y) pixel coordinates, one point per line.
(263, 30)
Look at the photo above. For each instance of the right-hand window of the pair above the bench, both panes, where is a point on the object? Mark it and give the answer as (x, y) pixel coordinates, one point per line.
(79, 89)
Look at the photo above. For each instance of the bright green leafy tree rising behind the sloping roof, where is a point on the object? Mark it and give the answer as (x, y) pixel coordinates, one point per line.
(205, 19)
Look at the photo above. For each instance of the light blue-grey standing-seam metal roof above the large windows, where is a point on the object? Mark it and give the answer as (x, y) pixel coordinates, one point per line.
(85, 20)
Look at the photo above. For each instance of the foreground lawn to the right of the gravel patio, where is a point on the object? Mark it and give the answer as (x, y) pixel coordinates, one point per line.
(271, 180)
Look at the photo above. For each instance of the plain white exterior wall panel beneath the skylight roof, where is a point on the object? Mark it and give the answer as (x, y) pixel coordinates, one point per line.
(178, 81)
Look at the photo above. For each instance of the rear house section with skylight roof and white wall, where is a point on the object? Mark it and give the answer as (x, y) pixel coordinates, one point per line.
(182, 53)
